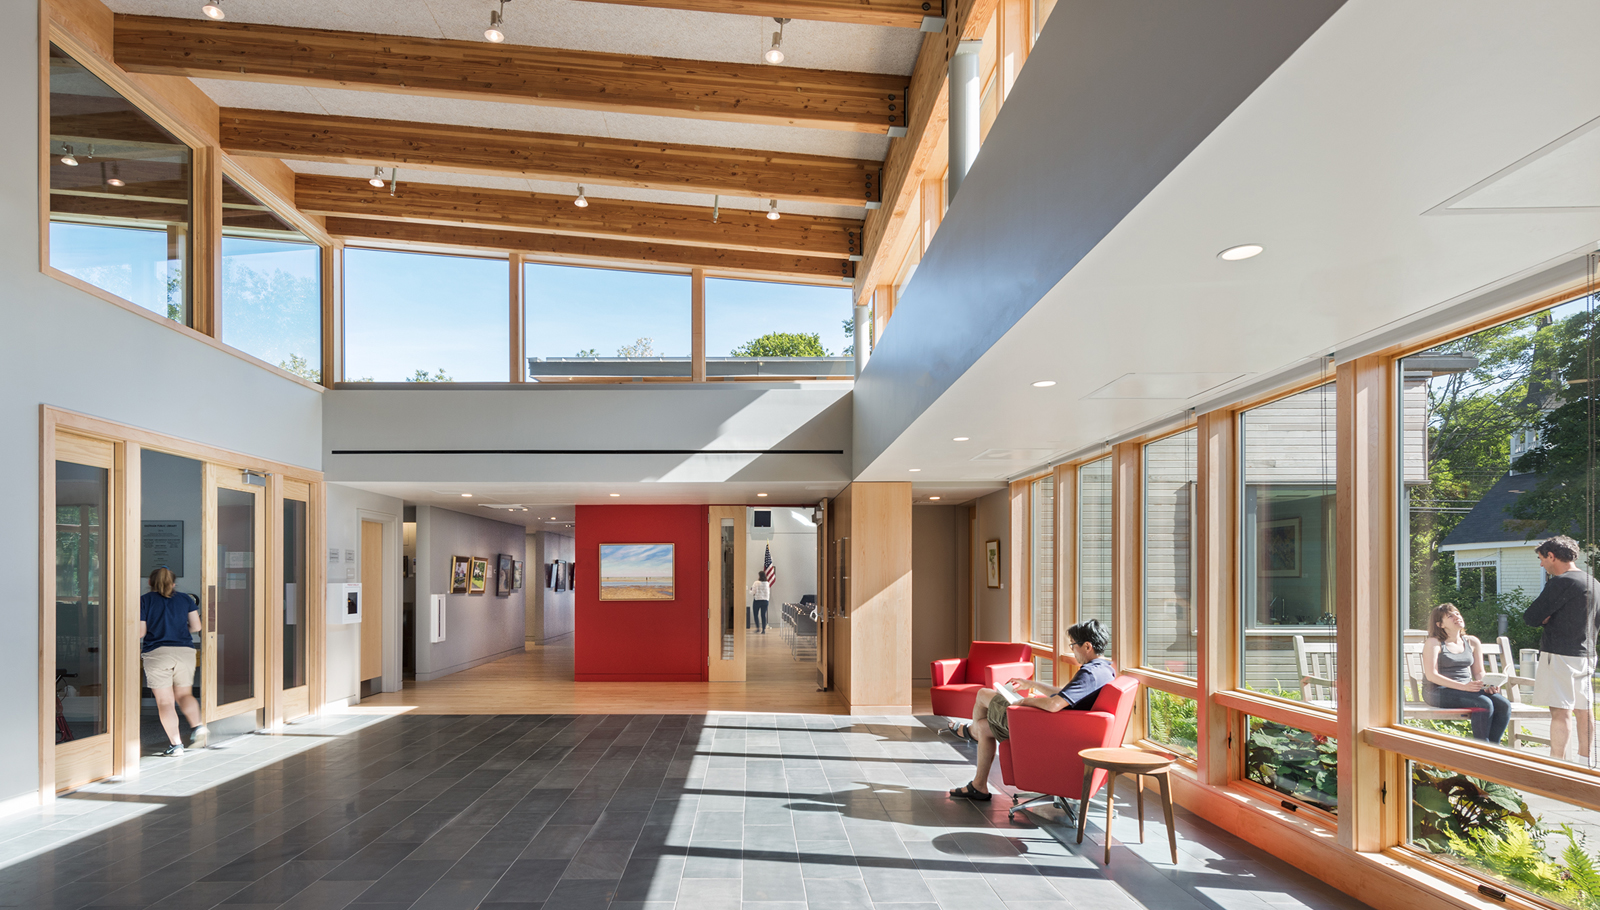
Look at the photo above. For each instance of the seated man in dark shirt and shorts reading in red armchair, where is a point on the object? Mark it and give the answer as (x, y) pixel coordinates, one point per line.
(1089, 642)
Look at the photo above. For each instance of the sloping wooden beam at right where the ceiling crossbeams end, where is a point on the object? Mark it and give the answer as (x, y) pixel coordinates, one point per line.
(913, 156)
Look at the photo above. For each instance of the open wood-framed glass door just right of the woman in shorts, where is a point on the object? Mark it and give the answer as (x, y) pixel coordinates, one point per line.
(234, 613)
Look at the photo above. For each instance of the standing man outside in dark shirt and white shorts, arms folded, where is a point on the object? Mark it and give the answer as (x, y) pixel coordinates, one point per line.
(1567, 612)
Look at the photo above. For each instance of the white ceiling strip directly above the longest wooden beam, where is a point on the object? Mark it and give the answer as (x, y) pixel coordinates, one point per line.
(580, 26)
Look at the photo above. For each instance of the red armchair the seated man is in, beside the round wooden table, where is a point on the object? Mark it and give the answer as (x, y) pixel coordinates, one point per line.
(1042, 756)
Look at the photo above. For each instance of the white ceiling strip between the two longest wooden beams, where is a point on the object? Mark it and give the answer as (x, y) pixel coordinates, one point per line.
(540, 119)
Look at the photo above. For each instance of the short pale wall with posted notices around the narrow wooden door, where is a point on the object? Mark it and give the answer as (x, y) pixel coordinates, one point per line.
(346, 511)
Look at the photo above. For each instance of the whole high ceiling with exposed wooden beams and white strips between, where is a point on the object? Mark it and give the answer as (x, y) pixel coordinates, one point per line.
(662, 110)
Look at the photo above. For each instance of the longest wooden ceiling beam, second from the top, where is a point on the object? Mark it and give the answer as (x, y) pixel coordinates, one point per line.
(479, 71)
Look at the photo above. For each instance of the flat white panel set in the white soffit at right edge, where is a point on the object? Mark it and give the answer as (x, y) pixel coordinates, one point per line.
(1559, 177)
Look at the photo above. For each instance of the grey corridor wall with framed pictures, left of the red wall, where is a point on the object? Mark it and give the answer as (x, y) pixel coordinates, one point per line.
(479, 628)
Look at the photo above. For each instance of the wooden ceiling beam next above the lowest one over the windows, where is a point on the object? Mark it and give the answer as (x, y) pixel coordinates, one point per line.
(510, 210)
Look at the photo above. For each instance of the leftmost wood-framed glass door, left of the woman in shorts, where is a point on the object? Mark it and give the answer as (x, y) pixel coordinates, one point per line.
(86, 684)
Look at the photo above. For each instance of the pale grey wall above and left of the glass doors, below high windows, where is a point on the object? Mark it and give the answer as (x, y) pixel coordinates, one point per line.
(74, 351)
